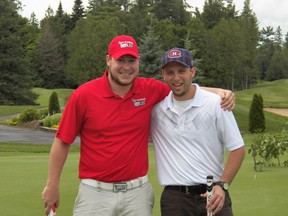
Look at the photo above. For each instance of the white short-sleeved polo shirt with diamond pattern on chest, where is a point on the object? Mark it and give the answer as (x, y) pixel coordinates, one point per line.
(191, 146)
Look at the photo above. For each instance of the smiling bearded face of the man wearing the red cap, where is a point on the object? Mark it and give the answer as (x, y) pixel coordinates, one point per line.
(124, 70)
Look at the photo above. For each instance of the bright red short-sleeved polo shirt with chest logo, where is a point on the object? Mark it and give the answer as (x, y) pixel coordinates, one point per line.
(114, 131)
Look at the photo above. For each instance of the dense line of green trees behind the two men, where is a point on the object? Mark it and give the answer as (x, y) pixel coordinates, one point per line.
(65, 50)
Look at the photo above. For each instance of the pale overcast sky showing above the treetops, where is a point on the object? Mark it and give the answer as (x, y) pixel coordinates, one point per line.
(269, 12)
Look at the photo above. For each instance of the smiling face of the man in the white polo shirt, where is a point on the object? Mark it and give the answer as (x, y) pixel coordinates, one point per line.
(179, 79)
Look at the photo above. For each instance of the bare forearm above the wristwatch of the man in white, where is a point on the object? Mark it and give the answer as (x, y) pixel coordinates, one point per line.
(233, 164)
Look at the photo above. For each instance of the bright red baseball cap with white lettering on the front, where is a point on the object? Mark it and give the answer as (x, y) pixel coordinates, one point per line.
(123, 45)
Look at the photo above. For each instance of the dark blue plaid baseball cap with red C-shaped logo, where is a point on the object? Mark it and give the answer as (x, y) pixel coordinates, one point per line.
(177, 55)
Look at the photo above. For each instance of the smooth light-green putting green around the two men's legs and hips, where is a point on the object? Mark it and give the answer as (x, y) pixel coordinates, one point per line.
(23, 176)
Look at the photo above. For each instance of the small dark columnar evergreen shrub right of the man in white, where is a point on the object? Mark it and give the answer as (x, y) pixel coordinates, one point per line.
(256, 115)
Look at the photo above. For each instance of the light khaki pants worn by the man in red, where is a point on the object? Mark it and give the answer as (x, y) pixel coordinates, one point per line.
(93, 201)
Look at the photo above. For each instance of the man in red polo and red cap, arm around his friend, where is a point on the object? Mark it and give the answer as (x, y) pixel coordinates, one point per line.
(112, 116)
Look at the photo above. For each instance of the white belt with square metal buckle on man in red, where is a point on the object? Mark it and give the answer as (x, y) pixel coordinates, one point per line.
(116, 186)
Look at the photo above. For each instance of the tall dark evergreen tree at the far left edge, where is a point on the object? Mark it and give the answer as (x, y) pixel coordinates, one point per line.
(15, 78)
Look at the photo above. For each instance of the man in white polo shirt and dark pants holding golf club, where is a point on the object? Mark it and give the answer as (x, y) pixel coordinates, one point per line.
(190, 133)
